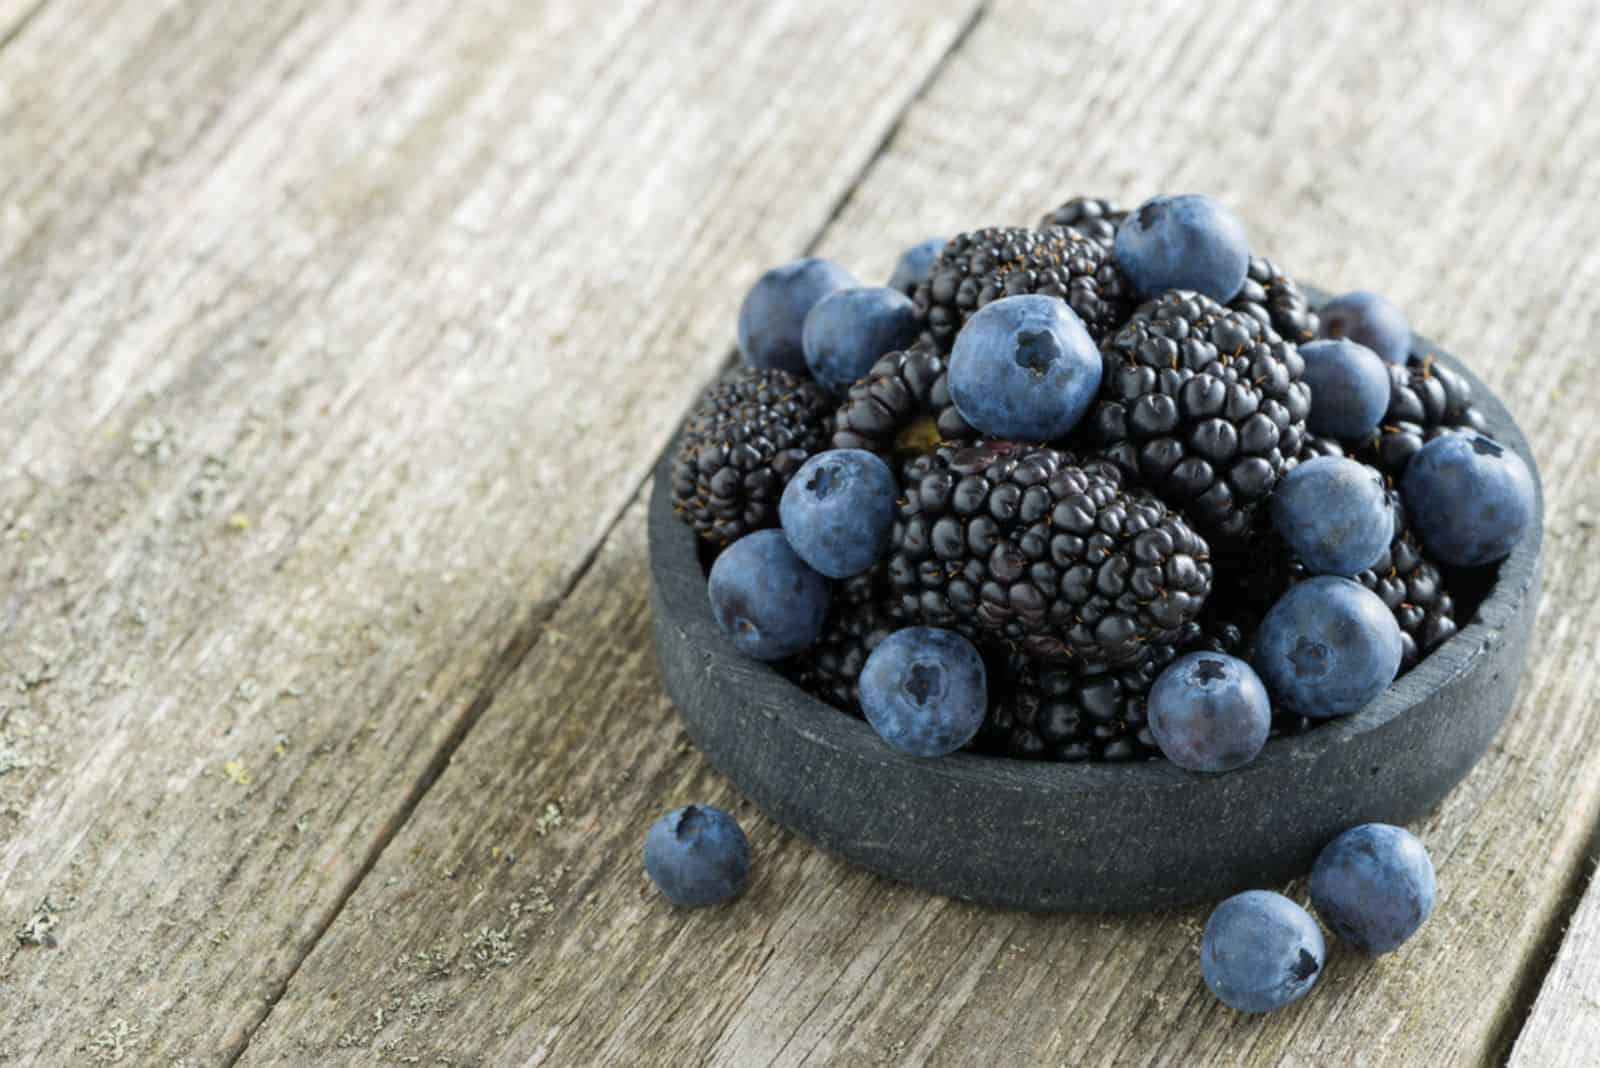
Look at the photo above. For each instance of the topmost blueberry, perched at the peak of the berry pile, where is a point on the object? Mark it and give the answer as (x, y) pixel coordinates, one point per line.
(1186, 242)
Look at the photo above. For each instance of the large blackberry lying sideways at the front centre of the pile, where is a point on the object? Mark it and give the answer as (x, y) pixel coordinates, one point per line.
(1018, 543)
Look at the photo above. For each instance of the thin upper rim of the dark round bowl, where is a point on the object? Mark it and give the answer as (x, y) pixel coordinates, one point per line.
(674, 548)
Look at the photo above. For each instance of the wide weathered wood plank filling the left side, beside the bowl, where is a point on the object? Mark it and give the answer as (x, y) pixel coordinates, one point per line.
(330, 348)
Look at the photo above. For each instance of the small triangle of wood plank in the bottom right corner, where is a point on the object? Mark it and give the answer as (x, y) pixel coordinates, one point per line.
(1564, 1029)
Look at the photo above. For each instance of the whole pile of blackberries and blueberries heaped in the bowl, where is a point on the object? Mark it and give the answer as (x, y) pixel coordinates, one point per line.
(1102, 490)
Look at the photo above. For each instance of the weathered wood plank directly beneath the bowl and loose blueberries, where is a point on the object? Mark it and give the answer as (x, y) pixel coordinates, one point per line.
(490, 933)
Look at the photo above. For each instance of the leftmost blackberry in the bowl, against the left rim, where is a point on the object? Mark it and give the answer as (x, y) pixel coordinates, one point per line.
(745, 440)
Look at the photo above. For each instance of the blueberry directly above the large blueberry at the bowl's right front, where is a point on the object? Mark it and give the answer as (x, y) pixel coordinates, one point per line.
(1335, 514)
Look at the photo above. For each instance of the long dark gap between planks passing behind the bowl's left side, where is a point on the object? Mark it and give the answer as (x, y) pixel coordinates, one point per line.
(530, 634)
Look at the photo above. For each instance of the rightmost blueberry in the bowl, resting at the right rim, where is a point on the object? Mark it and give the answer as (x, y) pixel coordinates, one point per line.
(1468, 498)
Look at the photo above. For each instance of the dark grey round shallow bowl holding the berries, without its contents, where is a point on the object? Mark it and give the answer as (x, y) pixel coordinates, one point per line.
(1094, 837)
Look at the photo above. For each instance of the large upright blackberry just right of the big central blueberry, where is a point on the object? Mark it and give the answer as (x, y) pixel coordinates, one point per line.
(1204, 405)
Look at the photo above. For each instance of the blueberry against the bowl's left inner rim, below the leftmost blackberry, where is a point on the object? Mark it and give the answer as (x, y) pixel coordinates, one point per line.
(766, 599)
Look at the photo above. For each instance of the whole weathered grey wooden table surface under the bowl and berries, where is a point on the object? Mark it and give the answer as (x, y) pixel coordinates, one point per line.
(337, 341)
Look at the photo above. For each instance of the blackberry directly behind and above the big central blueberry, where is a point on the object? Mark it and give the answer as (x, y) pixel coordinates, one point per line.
(1009, 261)
